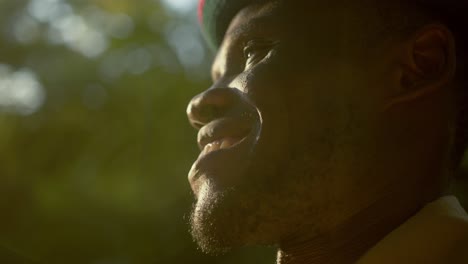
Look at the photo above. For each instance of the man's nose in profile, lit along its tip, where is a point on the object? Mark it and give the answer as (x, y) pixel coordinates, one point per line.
(209, 105)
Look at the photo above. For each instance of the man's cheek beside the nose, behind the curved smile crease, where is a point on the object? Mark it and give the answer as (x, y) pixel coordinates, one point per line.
(301, 111)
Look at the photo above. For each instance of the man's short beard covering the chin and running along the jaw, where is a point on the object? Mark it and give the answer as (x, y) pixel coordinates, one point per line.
(287, 188)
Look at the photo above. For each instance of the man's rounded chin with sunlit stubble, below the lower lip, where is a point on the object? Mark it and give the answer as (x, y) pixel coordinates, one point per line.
(231, 218)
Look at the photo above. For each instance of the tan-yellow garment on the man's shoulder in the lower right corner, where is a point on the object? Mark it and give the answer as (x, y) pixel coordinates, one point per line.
(438, 234)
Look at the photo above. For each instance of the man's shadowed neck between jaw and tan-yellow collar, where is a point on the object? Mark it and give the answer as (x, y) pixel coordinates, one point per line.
(347, 242)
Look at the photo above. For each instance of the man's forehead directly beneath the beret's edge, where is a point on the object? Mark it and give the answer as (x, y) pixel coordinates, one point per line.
(300, 19)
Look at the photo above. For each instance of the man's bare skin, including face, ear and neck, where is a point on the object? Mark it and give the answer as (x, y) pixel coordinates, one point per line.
(315, 142)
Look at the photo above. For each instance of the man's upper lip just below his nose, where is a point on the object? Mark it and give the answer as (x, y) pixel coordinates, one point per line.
(223, 128)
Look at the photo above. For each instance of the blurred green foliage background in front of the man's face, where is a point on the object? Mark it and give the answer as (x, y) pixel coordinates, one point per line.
(94, 142)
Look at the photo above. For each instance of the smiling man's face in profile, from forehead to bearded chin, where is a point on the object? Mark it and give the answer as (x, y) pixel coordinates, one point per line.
(295, 132)
